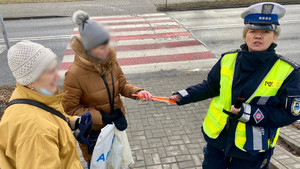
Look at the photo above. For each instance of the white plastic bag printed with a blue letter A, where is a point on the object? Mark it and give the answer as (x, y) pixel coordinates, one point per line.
(103, 147)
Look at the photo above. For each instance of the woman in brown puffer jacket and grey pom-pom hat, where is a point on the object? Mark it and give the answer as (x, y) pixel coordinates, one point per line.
(95, 80)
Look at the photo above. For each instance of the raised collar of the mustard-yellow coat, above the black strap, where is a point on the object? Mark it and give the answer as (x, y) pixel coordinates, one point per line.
(22, 92)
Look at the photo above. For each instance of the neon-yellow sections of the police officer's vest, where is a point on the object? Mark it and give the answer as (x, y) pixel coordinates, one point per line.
(216, 120)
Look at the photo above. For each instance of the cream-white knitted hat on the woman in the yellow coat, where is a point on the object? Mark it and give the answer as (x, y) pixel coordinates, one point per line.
(28, 60)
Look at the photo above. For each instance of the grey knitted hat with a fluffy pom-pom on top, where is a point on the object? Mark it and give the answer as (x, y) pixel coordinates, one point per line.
(92, 33)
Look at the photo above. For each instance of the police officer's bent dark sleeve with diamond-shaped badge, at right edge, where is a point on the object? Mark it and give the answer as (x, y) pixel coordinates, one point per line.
(275, 111)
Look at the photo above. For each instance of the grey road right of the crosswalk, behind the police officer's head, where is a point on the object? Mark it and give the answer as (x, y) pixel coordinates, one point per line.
(221, 30)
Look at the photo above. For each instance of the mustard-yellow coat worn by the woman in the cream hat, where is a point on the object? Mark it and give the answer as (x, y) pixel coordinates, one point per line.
(31, 138)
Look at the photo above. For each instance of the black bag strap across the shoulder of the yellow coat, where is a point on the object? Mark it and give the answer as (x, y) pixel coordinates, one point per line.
(39, 105)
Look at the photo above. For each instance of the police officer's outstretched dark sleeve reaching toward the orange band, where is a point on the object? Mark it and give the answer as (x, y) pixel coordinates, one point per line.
(207, 89)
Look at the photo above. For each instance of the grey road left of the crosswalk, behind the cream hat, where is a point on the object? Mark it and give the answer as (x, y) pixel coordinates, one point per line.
(53, 33)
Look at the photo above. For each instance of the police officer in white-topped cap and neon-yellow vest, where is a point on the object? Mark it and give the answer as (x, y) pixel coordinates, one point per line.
(255, 91)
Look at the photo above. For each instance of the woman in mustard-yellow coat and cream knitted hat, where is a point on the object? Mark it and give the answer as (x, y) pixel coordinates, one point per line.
(31, 135)
